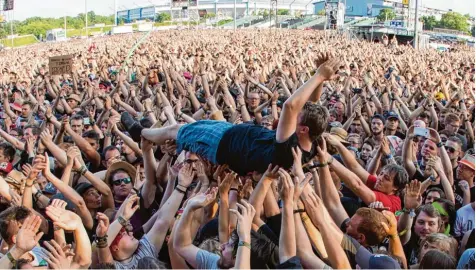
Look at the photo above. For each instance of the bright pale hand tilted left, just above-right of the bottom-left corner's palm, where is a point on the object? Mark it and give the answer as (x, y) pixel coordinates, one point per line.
(63, 218)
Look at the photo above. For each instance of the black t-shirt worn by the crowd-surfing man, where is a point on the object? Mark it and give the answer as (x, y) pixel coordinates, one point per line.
(247, 148)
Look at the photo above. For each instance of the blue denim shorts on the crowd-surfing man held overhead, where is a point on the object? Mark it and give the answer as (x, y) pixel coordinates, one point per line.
(202, 138)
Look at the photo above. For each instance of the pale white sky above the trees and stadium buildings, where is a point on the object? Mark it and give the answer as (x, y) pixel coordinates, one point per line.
(59, 8)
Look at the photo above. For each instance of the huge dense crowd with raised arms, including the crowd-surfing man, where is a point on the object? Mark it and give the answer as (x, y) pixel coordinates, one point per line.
(237, 149)
